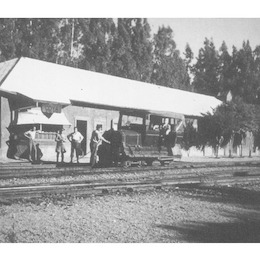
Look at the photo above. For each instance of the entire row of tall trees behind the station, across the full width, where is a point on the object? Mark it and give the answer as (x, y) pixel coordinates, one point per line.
(125, 48)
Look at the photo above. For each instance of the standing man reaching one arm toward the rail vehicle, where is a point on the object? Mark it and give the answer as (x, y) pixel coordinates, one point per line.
(95, 142)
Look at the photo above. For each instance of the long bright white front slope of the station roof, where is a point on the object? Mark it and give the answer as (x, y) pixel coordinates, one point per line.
(51, 82)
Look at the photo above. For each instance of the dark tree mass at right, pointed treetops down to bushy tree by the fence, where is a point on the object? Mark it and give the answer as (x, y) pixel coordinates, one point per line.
(221, 74)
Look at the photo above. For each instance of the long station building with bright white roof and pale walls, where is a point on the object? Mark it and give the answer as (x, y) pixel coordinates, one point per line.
(51, 96)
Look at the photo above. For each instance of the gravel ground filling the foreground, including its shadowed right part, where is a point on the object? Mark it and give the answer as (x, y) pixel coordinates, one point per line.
(195, 214)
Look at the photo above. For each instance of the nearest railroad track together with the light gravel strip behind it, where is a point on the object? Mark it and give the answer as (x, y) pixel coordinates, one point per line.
(133, 179)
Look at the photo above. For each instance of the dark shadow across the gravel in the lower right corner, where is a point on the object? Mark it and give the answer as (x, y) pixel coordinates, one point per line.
(243, 221)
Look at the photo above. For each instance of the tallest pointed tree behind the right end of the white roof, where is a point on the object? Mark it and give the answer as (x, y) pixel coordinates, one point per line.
(206, 77)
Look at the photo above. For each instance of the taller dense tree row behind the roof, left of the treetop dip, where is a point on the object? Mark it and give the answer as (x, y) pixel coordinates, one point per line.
(122, 47)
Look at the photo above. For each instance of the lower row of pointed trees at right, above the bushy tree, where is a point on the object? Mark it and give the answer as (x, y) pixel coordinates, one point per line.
(216, 72)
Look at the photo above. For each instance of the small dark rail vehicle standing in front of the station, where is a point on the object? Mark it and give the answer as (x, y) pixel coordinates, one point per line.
(139, 141)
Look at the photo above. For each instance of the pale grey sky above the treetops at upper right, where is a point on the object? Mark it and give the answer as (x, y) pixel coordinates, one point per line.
(194, 30)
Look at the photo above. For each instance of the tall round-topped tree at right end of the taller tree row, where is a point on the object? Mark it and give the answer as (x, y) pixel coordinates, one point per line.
(169, 69)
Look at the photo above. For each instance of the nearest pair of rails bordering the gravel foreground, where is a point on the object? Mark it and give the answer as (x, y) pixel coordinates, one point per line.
(101, 186)
